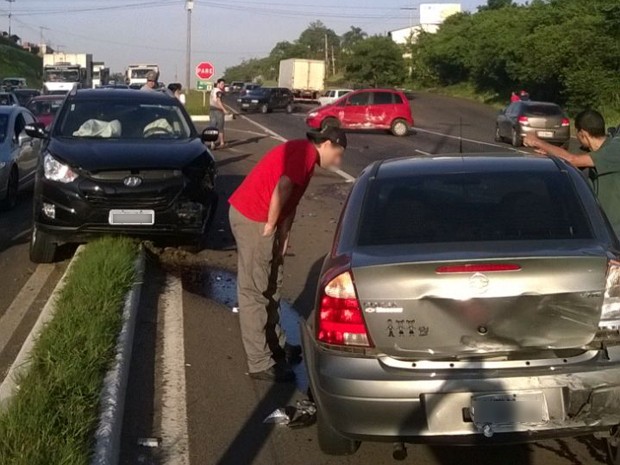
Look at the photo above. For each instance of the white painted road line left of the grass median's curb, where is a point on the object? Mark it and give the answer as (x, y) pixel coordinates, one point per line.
(22, 303)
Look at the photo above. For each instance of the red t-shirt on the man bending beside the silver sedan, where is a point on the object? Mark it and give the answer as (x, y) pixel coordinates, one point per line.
(295, 159)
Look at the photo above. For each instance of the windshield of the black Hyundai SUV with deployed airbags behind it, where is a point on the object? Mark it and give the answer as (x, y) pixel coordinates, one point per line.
(98, 119)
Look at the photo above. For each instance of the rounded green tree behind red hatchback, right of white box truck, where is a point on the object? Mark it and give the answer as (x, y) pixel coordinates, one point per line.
(376, 61)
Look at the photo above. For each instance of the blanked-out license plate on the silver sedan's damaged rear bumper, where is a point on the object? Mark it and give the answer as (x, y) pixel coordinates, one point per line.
(504, 409)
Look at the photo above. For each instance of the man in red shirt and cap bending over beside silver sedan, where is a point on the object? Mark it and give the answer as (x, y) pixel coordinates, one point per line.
(262, 211)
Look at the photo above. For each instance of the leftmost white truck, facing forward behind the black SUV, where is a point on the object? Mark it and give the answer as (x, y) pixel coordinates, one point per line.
(63, 72)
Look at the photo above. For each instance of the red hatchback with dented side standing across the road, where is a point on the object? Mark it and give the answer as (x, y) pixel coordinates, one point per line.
(385, 109)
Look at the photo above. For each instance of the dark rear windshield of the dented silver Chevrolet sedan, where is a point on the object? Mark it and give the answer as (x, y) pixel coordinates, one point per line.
(467, 207)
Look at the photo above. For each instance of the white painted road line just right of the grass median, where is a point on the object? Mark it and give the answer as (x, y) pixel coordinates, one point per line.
(174, 429)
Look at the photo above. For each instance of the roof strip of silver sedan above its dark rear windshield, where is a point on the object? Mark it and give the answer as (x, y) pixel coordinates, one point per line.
(474, 163)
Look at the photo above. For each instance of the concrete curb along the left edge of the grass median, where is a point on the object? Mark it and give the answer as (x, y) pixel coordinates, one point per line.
(21, 363)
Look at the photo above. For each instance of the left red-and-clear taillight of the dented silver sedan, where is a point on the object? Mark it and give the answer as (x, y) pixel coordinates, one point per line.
(340, 319)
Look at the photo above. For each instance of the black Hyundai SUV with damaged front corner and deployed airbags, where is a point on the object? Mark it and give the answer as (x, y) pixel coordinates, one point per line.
(121, 162)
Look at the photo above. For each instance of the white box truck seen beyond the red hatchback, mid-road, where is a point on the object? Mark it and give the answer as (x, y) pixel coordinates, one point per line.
(305, 78)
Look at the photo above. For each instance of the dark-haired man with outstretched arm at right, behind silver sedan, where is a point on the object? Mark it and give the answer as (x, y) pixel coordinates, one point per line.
(604, 156)
